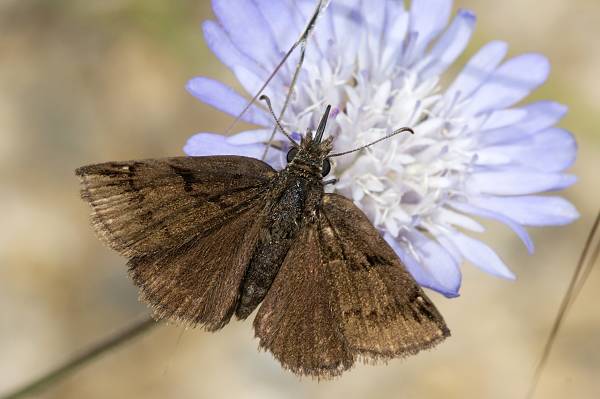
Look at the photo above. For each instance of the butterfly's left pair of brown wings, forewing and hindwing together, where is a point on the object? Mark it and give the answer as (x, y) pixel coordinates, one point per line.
(175, 219)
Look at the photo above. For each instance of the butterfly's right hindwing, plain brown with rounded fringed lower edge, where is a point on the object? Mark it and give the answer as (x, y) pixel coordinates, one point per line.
(295, 321)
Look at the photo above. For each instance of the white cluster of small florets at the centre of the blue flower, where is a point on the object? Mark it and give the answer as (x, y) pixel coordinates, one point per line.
(403, 181)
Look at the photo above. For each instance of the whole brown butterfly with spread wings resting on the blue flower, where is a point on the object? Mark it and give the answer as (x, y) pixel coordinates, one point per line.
(210, 237)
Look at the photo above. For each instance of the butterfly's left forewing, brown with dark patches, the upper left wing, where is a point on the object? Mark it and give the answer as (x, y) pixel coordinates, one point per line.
(139, 207)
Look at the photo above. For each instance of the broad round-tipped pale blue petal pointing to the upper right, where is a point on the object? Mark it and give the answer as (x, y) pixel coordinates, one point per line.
(510, 83)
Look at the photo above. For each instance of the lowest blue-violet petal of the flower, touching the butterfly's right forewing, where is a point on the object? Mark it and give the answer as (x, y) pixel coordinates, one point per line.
(436, 269)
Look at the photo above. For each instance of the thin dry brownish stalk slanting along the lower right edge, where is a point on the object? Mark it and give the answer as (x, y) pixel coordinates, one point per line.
(580, 275)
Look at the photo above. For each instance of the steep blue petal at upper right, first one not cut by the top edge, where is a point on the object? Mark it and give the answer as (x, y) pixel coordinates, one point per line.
(450, 45)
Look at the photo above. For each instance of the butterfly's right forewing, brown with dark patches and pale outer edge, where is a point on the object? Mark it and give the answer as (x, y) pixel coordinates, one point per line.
(383, 312)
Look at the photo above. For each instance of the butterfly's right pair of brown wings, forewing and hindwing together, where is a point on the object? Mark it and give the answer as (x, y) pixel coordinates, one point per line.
(342, 295)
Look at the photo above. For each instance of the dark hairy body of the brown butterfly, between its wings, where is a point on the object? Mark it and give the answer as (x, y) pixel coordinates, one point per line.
(293, 201)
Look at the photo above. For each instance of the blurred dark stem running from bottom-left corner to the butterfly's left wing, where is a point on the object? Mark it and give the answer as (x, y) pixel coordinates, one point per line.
(93, 353)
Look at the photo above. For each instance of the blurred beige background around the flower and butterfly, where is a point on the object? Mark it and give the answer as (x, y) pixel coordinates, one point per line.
(92, 81)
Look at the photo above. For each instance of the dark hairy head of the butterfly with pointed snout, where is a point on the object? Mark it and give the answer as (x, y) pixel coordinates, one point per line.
(312, 153)
